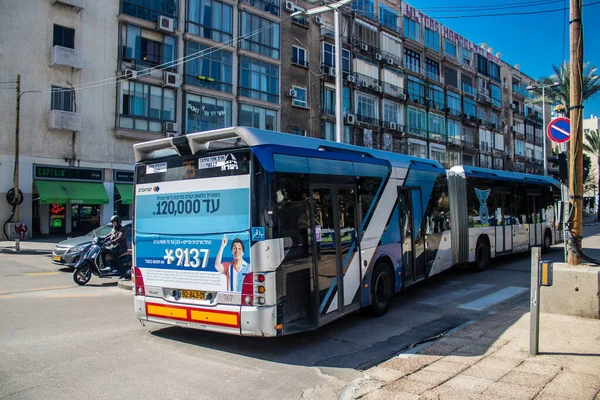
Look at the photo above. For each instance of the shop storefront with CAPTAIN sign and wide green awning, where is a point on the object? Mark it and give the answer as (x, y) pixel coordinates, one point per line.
(67, 199)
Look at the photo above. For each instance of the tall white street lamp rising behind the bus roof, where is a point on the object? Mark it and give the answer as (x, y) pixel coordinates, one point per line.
(339, 86)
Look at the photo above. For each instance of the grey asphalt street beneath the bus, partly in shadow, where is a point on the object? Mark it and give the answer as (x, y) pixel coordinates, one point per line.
(61, 341)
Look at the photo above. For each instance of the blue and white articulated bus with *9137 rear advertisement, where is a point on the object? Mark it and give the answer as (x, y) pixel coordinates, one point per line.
(259, 233)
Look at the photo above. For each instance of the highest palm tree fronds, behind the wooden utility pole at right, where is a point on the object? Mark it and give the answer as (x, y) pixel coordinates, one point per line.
(562, 74)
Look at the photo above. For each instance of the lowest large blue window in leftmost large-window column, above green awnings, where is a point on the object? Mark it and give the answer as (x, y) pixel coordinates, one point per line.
(145, 107)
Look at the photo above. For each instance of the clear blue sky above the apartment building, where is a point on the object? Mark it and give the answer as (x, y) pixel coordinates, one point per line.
(534, 41)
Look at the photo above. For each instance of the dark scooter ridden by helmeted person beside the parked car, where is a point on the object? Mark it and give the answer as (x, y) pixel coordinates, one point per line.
(93, 263)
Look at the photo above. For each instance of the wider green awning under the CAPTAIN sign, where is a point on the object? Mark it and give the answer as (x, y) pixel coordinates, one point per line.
(63, 192)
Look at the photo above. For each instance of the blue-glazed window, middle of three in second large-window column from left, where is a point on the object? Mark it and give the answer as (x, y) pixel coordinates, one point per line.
(213, 70)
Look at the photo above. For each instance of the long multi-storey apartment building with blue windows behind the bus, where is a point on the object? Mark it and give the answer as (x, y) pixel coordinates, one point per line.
(108, 74)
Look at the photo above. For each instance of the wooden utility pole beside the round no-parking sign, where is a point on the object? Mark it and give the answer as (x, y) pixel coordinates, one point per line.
(576, 145)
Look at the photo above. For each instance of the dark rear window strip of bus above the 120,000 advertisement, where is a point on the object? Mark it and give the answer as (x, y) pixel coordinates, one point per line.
(195, 167)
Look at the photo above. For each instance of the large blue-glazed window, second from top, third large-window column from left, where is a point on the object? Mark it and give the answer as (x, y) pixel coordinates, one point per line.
(266, 42)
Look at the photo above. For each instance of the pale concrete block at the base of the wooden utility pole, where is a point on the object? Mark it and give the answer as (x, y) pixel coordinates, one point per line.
(575, 291)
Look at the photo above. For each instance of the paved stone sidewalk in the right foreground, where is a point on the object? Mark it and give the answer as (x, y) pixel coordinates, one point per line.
(490, 360)
